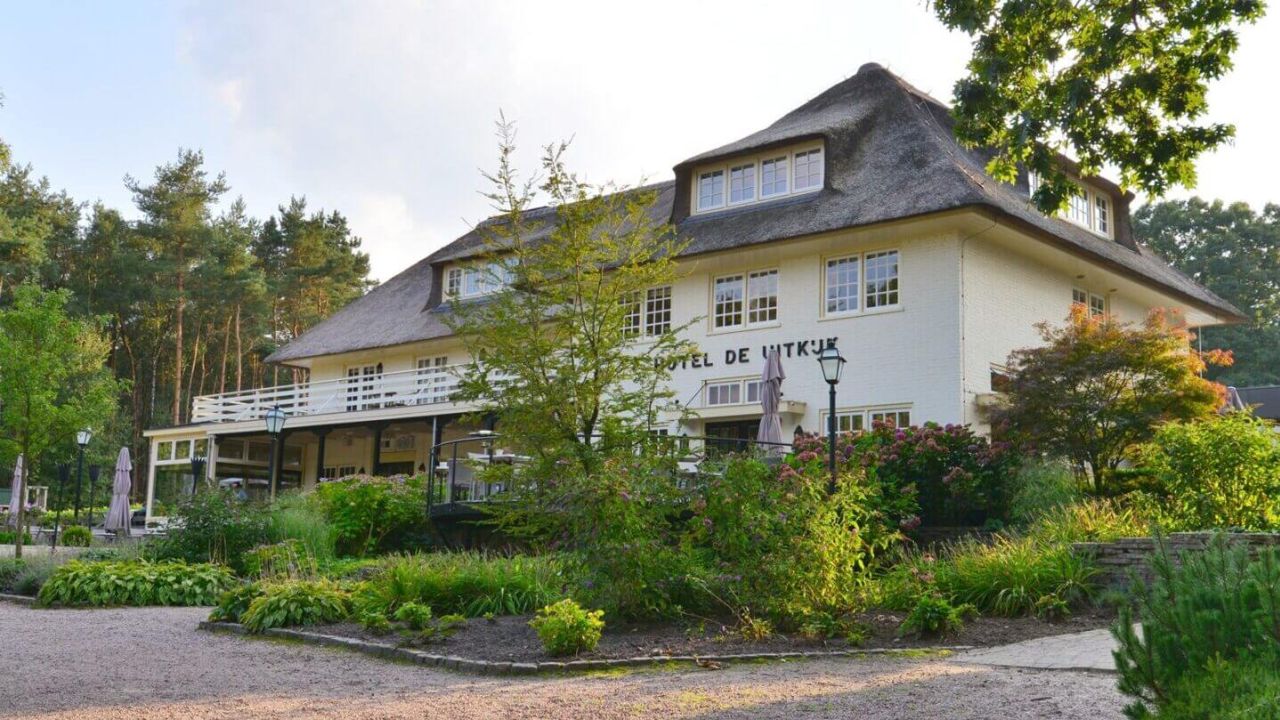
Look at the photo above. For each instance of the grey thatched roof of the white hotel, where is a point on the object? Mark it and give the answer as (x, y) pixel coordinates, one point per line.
(890, 156)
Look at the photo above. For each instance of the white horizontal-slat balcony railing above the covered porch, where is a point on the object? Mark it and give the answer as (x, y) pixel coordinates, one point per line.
(424, 386)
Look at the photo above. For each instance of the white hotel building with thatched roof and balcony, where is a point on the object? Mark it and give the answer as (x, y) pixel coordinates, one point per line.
(854, 220)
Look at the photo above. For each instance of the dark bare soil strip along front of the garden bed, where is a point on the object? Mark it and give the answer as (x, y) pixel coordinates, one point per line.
(511, 640)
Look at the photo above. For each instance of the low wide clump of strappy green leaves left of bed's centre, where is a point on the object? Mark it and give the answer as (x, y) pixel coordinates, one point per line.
(467, 584)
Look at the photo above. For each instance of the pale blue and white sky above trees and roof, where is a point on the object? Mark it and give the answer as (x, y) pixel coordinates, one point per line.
(386, 111)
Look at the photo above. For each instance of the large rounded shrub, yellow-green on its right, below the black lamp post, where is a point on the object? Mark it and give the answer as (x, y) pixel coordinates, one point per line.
(788, 549)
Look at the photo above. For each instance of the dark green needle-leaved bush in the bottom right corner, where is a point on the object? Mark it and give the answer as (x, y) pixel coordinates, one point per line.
(1214, 607)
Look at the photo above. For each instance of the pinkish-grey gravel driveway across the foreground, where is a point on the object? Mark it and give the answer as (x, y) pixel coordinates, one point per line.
(154, 664)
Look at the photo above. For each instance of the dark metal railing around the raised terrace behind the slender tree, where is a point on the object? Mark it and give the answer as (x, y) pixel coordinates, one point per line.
(458, 466)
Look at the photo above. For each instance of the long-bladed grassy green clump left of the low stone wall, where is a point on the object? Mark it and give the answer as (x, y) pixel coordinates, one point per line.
(1007, 577)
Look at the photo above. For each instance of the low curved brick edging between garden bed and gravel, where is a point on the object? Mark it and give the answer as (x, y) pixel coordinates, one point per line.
(490, 668)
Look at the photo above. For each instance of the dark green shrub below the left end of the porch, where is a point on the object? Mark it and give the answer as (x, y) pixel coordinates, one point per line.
(214, 527)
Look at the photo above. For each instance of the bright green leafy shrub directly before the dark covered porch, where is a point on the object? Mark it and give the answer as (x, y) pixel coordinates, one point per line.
(372, 516)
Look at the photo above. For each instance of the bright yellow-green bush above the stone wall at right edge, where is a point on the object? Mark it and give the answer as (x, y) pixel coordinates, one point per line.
(1217, 475)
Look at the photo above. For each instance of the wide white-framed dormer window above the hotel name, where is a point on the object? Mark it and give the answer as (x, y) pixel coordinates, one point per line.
(744, 181)
